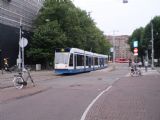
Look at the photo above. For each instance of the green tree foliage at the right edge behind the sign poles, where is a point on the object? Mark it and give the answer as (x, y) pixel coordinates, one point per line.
(143, 35)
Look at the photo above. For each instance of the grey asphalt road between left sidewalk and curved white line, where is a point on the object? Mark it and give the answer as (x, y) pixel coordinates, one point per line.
(67, 98)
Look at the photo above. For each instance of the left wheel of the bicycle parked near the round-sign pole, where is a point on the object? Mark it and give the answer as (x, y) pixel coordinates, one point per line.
(18, 82)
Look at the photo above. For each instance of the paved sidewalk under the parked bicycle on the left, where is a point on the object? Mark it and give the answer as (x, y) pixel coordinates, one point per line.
(8, 92)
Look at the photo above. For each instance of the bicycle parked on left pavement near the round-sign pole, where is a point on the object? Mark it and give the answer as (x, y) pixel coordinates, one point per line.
(20, 81)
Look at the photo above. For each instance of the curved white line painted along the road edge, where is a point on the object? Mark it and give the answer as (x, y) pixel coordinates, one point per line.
(91, 104)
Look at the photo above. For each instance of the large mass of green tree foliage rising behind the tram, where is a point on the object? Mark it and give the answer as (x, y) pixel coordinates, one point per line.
(60, 24)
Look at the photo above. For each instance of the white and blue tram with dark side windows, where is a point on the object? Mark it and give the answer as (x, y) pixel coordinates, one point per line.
(74, 60)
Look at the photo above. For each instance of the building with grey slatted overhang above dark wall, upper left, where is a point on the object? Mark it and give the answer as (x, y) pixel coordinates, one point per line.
(14, 13)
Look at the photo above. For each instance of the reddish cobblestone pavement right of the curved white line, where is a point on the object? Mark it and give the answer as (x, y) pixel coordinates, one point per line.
(131, 98)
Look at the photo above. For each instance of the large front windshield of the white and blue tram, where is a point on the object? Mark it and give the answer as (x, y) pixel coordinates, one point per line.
(61, 58)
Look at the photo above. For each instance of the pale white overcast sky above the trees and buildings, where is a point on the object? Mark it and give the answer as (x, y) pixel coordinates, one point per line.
(114, 15)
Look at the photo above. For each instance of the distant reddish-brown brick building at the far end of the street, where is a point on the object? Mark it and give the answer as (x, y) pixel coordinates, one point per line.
(122, 48)
